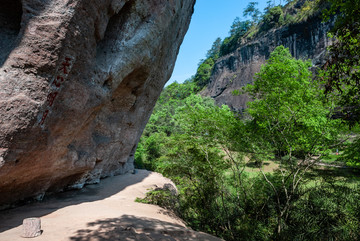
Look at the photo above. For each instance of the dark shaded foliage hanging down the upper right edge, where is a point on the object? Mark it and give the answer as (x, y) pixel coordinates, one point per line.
(341, 72)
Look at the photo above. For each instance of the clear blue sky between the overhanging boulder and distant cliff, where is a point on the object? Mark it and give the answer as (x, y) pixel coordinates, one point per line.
(211, 19)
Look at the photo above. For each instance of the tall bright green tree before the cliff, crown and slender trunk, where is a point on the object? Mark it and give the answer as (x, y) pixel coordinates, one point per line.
(288, 120)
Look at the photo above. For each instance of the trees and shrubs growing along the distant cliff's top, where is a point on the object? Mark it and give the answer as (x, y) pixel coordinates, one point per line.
(257, 23)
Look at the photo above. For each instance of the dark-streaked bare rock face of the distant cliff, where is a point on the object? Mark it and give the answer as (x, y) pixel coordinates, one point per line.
(306, 40)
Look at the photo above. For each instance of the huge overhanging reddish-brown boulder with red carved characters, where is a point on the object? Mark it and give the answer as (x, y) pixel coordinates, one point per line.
(78, 81)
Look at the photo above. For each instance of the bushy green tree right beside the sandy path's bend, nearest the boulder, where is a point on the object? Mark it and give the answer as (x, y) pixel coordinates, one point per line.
(195, 162)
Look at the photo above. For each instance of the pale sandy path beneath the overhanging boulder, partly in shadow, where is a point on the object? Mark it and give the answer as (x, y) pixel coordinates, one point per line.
(100, 212)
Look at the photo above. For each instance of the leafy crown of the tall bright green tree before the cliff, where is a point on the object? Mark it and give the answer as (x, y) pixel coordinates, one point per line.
(288, 110)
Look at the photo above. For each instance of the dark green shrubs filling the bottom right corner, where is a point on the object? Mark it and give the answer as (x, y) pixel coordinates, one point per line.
(327, 212)
